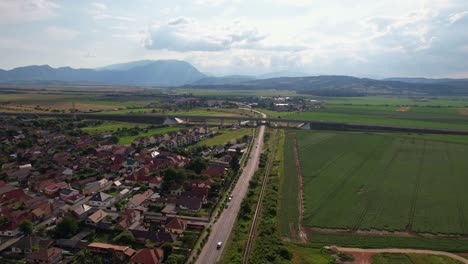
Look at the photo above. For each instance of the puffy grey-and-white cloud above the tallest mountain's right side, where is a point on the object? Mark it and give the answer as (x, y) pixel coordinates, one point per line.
(184, 35)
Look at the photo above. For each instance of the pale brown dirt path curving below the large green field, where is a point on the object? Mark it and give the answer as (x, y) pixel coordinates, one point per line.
(403, 251)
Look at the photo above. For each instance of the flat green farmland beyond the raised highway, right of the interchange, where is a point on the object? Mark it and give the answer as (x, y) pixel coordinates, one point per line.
(448, 113)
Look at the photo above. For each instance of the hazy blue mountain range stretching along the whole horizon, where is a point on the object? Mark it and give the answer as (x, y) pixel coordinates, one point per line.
(181, 73)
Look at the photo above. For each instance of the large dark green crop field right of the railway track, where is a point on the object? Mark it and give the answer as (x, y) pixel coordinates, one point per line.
(360, 181)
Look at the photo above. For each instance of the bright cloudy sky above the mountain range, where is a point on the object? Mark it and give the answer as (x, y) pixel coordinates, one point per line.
(365, 38)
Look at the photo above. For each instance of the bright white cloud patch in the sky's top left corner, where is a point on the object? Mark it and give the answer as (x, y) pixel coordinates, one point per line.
(18, 11)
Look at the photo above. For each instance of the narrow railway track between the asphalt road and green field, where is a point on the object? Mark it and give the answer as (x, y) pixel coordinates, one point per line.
(248, 247)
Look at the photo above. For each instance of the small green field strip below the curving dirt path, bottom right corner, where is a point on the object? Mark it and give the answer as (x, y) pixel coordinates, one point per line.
(387, 258)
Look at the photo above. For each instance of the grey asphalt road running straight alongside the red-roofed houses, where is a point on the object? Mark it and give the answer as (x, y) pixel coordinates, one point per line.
(222, 228)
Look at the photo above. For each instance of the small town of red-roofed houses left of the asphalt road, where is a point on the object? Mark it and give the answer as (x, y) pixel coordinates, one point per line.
(66, 195)
